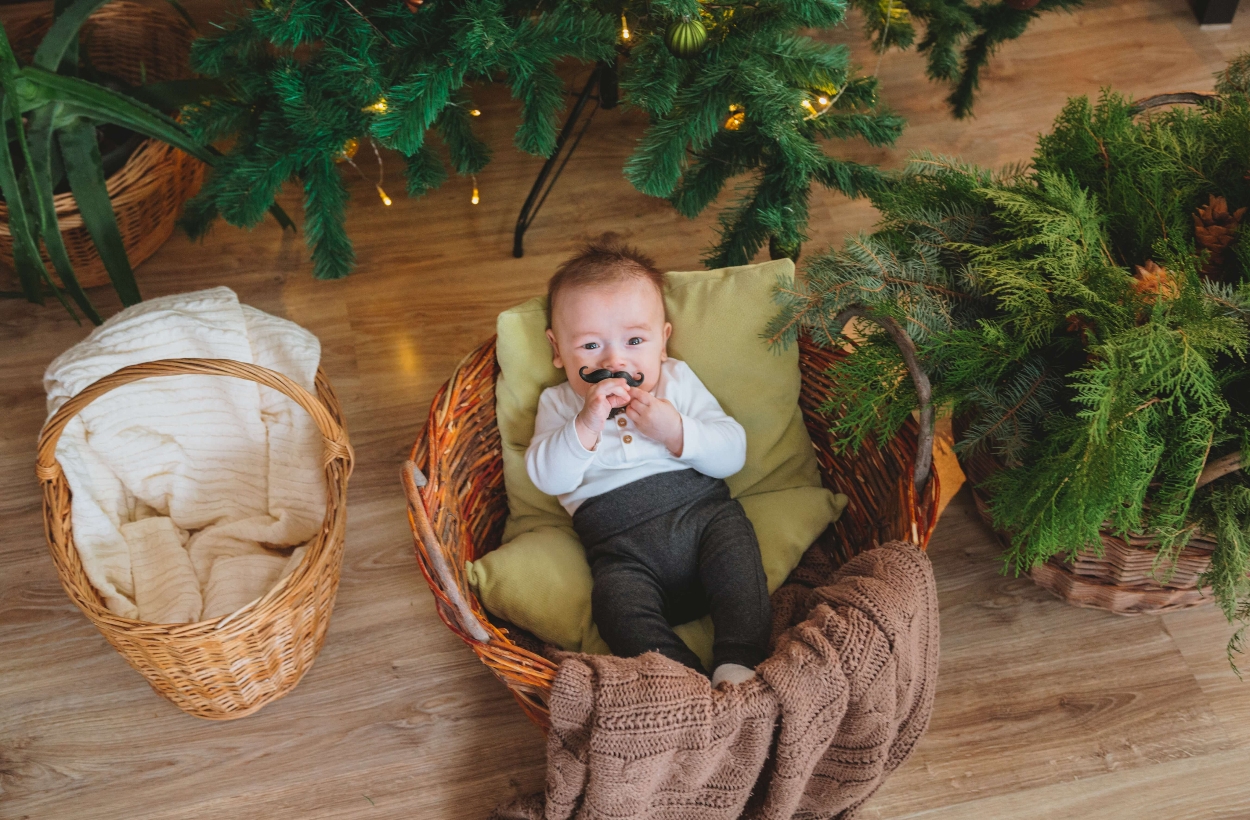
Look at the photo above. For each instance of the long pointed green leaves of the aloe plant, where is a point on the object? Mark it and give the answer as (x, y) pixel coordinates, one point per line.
(51, 117)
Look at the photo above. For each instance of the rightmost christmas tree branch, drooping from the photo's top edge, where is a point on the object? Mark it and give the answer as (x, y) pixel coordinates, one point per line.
(961, 37)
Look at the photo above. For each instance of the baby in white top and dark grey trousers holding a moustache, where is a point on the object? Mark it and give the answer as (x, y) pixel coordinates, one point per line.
(666, 542)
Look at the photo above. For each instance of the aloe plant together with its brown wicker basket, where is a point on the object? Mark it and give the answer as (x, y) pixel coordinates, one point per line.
(93, 173)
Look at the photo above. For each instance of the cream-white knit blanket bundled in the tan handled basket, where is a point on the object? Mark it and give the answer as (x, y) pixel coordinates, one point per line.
(191, 492)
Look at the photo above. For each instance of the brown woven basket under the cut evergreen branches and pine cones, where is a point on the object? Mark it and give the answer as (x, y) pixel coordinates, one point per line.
(1123, 579)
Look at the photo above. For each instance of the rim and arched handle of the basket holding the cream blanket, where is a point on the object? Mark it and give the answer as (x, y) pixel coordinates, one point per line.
(51, 473)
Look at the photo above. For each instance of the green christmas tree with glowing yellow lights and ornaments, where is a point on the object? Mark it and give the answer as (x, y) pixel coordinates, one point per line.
(733, 88)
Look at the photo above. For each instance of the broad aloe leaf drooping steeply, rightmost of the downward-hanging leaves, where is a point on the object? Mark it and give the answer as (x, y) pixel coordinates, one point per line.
(86, 171)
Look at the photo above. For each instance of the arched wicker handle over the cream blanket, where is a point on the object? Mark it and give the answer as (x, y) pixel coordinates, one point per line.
(336, 438)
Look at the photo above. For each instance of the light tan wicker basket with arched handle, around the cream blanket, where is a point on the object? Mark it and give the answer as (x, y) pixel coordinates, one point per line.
(233, 666)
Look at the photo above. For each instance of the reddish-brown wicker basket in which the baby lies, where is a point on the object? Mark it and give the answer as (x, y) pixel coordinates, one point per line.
(458, 516)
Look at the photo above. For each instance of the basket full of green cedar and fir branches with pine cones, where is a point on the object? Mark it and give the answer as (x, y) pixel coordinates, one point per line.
(1087, 321)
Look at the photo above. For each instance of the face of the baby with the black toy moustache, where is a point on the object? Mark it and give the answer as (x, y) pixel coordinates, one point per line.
(618, 327)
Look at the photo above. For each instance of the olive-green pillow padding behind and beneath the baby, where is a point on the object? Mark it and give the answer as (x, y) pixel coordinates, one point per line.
(539, 578)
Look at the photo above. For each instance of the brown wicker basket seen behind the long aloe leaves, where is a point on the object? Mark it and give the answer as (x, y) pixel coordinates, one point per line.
(134, 43)
